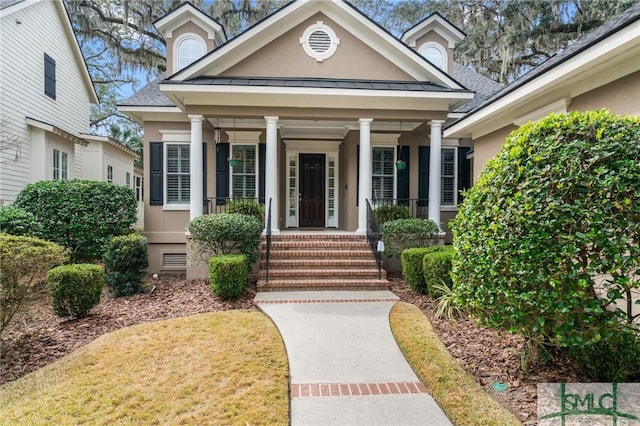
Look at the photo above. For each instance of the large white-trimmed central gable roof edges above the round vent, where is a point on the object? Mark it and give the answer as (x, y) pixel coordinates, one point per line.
(344, 14)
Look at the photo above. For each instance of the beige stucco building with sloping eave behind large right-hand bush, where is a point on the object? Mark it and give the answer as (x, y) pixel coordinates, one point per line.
(600, 70)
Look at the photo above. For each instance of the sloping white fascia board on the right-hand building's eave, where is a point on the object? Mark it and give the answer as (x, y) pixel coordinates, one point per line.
(546, 83)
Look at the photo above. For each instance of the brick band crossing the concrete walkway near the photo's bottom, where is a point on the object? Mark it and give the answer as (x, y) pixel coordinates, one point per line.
(311, 390)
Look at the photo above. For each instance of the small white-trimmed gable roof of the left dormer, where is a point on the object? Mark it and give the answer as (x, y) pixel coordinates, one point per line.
(188, 12)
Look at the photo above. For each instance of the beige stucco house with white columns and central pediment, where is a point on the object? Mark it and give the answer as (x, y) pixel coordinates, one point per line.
(316, 103)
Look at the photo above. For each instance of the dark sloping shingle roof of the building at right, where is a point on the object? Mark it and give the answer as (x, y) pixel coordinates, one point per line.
(612, 26)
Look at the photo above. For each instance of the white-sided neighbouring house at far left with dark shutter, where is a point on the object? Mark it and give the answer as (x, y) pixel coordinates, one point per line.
(45, 98)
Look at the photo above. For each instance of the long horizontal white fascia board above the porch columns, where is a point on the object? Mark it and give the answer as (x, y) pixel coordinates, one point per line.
(314, 91)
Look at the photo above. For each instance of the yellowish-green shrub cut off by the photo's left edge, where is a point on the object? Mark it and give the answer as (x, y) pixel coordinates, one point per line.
(24, 262)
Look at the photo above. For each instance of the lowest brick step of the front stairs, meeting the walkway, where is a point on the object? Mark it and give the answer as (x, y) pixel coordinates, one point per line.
(322, 284)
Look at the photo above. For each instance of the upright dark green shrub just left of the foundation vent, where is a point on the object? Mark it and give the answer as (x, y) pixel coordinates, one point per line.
(126, 260)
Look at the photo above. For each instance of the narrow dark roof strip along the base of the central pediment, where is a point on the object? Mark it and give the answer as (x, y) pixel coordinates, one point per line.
(320, 83)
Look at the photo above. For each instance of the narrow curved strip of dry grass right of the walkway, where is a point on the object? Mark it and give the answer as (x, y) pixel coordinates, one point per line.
(464, 402)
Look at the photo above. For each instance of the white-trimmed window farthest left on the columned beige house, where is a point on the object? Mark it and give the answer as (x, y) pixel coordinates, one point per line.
(177, 175)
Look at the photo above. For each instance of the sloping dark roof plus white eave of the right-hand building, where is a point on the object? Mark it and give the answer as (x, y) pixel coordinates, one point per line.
(625, 45)
